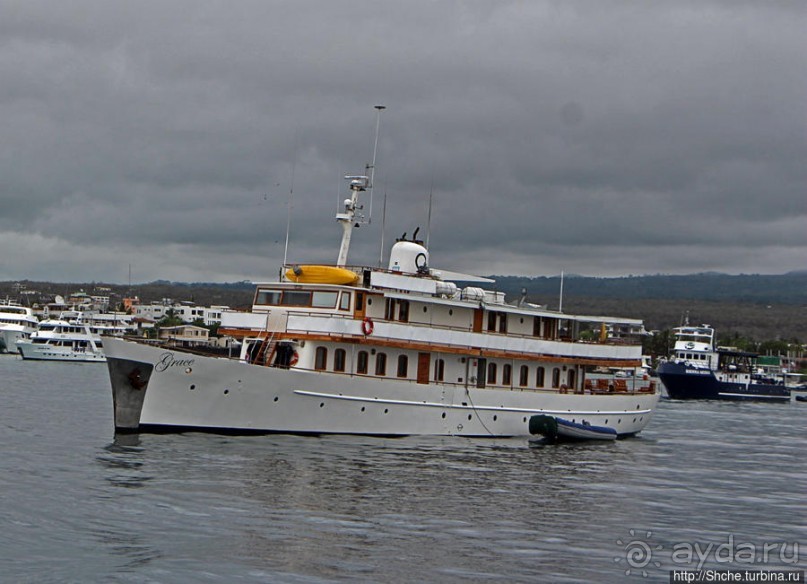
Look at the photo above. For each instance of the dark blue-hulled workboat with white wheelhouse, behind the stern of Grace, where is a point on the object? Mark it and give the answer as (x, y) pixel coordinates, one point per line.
(700, 370)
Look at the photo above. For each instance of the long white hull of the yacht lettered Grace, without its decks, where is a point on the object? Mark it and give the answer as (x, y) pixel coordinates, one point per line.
(155, 389)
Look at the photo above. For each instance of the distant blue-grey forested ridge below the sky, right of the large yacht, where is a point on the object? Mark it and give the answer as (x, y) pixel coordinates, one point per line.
(784, 289)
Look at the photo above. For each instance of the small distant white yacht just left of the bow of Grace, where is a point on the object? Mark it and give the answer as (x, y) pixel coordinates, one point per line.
(60, 340)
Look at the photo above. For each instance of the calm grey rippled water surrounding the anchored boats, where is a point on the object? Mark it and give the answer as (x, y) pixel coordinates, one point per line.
(77, 506)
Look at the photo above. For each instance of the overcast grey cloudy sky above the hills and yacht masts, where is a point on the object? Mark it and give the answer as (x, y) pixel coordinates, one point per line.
(601, 138)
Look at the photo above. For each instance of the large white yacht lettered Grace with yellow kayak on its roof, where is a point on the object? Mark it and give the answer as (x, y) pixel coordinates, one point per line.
(396, 351)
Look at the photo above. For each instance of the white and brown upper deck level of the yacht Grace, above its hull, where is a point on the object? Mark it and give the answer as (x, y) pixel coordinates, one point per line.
(422, 311)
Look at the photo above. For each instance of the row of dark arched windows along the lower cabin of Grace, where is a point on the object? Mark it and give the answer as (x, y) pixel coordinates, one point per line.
(363, 368)
